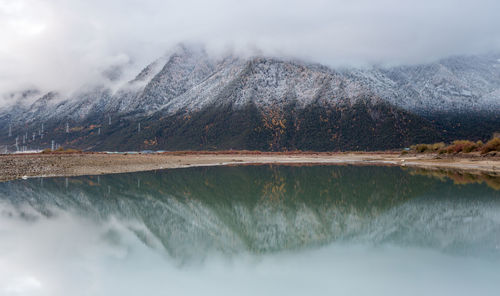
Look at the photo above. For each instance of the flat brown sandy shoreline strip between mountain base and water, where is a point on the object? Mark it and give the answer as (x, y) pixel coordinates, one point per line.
(35, 165)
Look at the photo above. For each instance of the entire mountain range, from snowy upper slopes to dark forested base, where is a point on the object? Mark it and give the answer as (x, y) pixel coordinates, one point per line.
(191, 100)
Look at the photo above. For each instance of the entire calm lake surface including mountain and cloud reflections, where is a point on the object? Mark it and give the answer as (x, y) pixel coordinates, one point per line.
(255, 230)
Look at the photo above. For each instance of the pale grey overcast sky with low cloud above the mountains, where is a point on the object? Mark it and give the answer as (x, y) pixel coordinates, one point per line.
(61, 44)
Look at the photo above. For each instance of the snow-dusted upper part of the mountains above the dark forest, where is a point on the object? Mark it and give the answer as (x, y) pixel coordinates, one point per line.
(188, 80)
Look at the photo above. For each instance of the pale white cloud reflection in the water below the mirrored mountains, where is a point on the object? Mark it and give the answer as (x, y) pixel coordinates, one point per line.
(68, 255)
